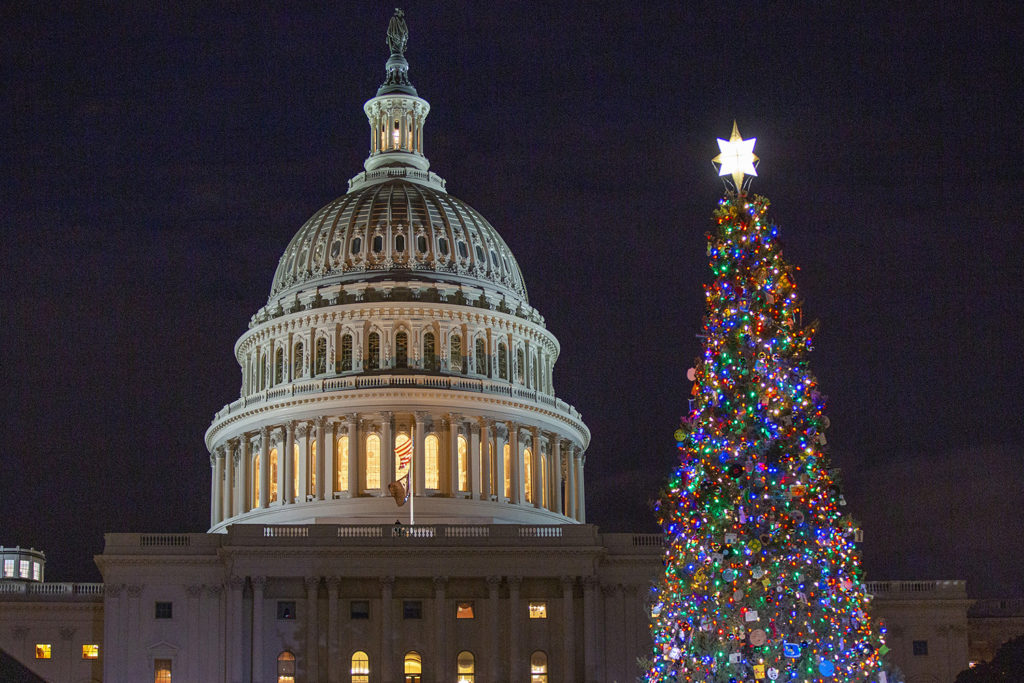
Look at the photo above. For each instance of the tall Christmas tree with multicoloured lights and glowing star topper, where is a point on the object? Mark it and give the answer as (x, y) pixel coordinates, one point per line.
(762, 579)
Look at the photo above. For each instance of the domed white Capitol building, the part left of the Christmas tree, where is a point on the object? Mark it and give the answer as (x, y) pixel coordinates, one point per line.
(398, 493)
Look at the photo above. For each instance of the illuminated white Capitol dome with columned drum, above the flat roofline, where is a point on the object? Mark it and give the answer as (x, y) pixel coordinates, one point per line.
(398, 351)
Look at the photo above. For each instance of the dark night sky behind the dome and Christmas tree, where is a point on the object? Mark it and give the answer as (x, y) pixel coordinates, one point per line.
(158, 157)
